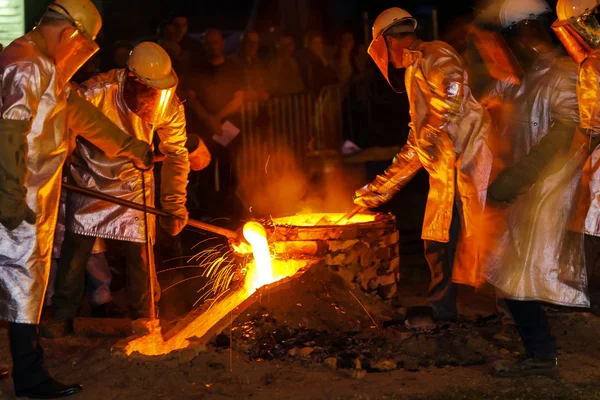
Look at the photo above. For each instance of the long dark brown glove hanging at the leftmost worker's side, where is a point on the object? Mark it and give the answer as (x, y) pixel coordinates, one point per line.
(13, 207)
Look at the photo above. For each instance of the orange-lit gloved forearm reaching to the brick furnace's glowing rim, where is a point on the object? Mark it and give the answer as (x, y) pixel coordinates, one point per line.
(405, 165)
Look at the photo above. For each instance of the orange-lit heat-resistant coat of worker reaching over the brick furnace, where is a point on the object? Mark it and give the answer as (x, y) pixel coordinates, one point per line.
(449, 129)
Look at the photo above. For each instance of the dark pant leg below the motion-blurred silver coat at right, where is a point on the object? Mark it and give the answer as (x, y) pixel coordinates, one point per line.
(534, 328)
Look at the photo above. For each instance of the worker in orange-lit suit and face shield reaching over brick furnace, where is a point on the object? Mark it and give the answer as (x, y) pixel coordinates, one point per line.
(447, 139)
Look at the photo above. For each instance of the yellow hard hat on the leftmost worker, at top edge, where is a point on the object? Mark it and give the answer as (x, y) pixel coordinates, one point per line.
(83, 13)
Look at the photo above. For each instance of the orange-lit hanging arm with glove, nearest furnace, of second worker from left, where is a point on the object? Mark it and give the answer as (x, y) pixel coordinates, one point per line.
(175, 169)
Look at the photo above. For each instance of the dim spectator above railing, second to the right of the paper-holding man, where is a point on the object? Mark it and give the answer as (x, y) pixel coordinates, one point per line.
(283, 71)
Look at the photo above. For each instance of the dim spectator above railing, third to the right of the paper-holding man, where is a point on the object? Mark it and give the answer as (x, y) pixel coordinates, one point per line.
(316, 70)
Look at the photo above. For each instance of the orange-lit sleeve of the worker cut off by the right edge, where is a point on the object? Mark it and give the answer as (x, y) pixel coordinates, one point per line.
(588, 94)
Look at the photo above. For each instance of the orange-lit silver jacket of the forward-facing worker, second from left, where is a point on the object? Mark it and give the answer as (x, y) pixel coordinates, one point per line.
(91, 168)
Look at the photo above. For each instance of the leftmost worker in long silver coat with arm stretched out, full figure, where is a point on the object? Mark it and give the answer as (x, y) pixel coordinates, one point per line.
(39, 118)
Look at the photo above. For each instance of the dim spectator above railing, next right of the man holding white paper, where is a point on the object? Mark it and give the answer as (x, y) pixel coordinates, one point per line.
(254, 69)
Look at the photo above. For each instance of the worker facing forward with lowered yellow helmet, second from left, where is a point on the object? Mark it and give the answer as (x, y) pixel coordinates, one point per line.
(141, 100)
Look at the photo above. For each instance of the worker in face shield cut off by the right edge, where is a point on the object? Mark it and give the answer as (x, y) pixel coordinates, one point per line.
(579, 30)
